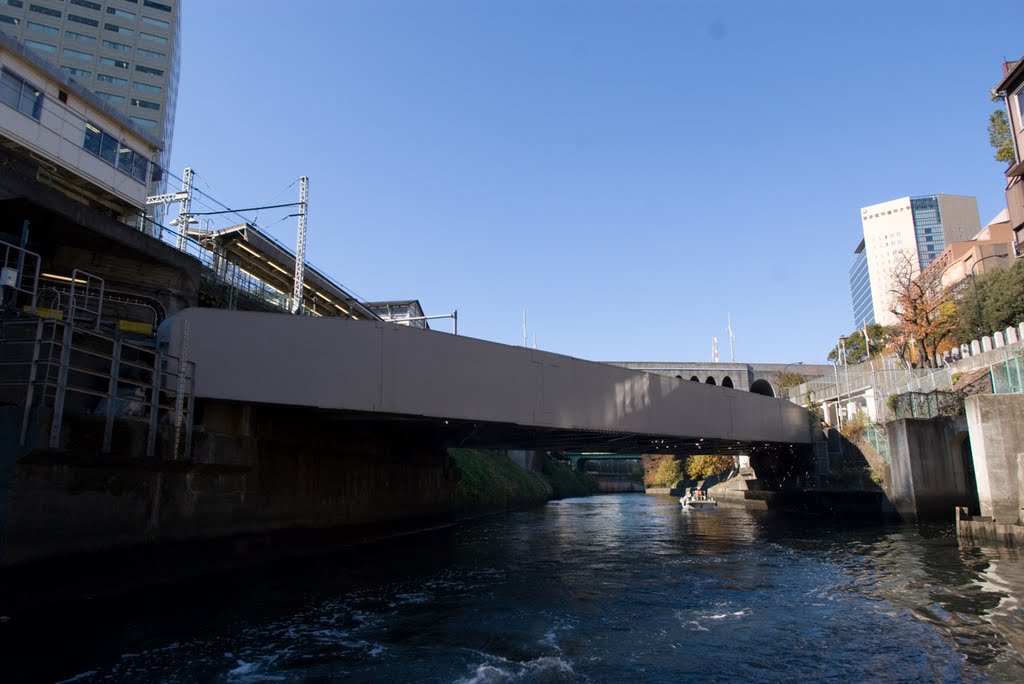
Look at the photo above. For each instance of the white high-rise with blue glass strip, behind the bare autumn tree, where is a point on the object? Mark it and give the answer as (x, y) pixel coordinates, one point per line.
(911, 233)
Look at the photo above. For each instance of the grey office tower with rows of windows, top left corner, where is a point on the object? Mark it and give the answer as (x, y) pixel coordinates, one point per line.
(126, 52)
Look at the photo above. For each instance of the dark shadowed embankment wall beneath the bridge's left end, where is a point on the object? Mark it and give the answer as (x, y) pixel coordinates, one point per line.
(255, 471)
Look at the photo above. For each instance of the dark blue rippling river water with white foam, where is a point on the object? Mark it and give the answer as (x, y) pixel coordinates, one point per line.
(626, 588)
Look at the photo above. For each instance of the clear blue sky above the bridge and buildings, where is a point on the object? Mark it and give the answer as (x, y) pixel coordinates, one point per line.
(629, 173)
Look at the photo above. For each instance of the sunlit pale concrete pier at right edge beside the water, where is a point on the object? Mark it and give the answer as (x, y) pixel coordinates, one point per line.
(997, 426)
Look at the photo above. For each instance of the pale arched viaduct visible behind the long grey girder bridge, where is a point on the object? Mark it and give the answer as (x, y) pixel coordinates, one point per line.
(757, 378)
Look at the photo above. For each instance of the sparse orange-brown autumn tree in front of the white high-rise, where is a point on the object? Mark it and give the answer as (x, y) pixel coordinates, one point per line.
(926, 312)
